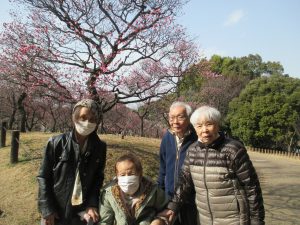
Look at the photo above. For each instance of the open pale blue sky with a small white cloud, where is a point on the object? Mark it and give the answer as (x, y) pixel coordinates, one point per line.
(270, 28)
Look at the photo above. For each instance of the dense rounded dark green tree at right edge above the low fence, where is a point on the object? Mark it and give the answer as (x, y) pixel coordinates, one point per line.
(266, 112)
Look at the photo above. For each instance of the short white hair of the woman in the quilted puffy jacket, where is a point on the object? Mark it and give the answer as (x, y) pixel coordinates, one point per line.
(207, 112)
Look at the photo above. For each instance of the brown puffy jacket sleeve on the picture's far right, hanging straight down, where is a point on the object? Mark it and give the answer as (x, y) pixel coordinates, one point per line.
(248, 178)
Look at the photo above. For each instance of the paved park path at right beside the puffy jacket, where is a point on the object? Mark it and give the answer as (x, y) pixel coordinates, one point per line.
(280, 182)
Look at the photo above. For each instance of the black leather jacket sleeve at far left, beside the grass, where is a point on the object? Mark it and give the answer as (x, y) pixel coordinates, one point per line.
(46, 204)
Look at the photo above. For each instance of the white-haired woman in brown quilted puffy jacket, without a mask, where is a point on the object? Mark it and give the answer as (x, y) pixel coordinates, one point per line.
(219, 170)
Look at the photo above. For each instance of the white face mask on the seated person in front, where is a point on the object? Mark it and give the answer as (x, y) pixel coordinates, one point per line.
(129, 184)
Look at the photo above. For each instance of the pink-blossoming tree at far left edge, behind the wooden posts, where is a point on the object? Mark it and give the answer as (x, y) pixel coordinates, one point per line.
(22, 69)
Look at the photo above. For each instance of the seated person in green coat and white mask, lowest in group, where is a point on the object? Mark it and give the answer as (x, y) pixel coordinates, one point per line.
(131, 199)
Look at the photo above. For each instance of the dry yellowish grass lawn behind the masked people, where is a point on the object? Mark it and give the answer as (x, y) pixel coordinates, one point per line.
(18, 185)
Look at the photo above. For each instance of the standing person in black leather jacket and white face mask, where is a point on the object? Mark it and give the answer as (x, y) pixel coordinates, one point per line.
(72, 171)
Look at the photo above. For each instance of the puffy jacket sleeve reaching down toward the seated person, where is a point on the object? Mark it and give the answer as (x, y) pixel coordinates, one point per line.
(184, 188)
